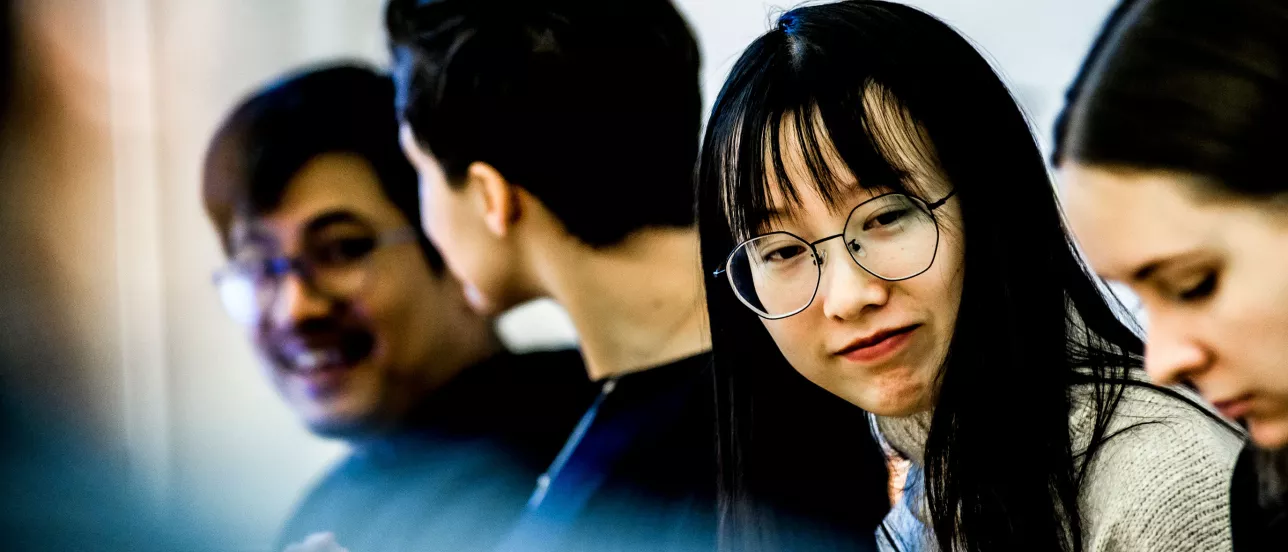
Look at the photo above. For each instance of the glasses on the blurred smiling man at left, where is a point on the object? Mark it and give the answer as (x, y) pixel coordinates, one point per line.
(333, 264)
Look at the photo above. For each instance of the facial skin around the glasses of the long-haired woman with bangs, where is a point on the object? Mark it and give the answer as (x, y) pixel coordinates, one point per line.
(874, 343)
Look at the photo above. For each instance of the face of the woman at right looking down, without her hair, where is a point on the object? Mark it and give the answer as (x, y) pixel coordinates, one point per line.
(1213, 276)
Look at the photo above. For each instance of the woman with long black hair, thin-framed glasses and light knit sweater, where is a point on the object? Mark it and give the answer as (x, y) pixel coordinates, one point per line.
(876, 216)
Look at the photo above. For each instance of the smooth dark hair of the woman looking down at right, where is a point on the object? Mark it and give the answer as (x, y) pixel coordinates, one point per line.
(1187, 86)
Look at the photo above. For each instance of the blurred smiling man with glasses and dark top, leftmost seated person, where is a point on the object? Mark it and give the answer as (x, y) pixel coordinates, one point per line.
(363, 331)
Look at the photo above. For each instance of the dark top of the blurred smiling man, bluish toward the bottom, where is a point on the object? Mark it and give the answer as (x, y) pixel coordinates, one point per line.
(459, 473)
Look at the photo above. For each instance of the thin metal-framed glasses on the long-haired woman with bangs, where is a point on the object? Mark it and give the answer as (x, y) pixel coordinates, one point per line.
(895, 237)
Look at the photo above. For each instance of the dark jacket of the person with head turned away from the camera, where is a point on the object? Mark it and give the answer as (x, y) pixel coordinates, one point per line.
(642, 475)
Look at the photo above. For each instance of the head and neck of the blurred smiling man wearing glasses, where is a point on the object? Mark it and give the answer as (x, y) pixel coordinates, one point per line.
(346, 300)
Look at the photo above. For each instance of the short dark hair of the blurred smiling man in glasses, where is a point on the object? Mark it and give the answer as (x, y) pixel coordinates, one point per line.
(272, 134)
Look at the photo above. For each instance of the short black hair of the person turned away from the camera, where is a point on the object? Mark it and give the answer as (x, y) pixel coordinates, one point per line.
(592, 106)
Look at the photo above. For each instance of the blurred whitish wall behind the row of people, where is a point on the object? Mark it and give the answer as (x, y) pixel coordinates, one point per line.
(180, 382)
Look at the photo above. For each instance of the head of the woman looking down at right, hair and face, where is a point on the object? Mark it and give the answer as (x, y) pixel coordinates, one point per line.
(1173, 150)
